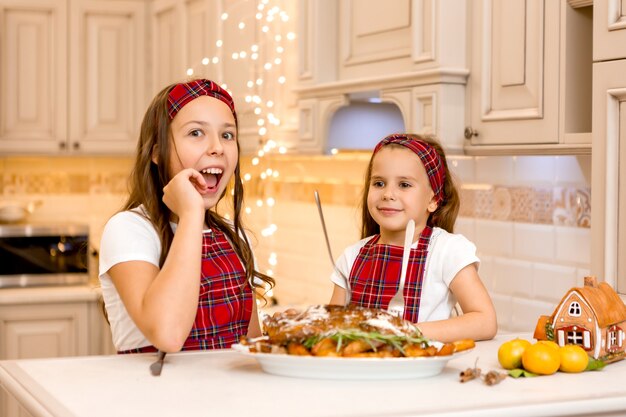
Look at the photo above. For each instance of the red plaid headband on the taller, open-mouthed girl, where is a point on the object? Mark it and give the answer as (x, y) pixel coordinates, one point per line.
(183, 93)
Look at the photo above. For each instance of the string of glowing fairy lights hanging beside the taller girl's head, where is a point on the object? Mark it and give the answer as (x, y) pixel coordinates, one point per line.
(266, 59)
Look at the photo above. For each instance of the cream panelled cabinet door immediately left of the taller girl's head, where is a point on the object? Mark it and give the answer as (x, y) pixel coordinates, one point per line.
(107, 65)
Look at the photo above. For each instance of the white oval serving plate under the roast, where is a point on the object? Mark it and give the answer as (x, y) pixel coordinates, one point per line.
(348, 368)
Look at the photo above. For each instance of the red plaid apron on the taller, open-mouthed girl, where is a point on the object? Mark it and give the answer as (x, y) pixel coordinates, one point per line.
(225, 301)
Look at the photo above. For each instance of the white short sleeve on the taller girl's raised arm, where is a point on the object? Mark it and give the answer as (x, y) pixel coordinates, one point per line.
(127, 236)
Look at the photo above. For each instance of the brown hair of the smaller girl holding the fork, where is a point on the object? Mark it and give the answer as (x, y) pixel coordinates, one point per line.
(447, 210)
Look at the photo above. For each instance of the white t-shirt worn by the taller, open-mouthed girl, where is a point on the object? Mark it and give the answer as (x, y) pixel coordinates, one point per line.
(127, 236)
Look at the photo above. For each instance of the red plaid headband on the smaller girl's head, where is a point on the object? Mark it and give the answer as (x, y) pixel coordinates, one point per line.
(427, 154)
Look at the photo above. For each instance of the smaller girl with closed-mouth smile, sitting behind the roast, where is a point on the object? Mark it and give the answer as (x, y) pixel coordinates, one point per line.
(408, 178)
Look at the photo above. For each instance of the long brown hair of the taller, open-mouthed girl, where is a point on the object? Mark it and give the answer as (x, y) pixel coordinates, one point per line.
(148, 179)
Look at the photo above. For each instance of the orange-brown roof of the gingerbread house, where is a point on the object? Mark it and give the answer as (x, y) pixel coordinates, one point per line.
(603, 299)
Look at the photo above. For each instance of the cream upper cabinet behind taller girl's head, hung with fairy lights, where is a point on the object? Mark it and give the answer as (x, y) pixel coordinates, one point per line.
(244, 46)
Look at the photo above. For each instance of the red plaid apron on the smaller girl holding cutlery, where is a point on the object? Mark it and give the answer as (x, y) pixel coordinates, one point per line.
(375, 275)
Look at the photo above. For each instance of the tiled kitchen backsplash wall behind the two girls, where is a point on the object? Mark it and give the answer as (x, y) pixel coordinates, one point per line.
(529, 217)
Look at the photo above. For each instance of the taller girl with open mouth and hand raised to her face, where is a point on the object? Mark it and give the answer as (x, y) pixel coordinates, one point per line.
(174, 273)
